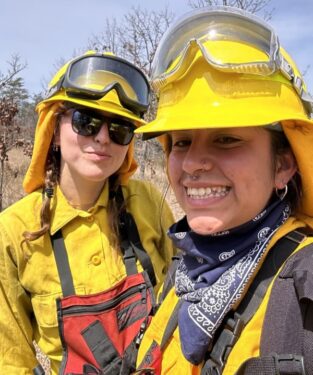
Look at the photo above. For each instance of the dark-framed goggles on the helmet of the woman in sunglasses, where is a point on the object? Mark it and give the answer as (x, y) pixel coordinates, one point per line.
(92, 76)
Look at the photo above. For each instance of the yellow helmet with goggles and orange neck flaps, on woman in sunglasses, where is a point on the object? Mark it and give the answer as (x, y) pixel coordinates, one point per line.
(103, 82)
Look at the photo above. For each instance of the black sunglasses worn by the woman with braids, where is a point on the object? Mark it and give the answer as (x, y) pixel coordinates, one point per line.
(88, 123)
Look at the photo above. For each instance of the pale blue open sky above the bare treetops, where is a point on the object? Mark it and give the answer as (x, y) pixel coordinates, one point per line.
(44, 31)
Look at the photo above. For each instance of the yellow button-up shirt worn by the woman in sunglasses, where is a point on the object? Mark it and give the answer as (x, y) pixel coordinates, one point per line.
(29, 281)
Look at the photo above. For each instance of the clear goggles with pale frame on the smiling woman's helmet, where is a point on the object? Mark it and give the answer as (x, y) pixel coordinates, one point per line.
(191, 33)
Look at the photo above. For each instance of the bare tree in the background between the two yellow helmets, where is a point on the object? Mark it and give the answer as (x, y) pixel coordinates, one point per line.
(136, 39)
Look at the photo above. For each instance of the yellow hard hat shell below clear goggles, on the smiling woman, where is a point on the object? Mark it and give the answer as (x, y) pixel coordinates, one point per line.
(206, 97)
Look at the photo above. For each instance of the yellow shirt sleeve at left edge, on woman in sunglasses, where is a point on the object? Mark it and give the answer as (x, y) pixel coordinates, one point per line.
(17, 356)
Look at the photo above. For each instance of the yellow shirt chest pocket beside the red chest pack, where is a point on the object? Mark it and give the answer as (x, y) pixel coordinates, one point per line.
(45, 309)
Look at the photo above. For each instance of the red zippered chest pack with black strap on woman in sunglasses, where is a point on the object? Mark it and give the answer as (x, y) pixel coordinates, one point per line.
(100, 332)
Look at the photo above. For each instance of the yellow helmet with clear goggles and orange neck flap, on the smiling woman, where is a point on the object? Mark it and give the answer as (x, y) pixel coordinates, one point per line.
(222, 67)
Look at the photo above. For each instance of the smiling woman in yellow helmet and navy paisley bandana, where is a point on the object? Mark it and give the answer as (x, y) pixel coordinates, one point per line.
(236, 123)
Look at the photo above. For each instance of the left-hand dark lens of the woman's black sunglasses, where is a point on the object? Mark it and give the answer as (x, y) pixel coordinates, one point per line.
(84, 123)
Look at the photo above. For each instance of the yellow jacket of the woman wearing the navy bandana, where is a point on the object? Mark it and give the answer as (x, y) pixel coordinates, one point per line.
(248, 345)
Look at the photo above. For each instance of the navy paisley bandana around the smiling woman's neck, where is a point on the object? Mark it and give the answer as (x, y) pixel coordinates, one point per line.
(213, 273)
